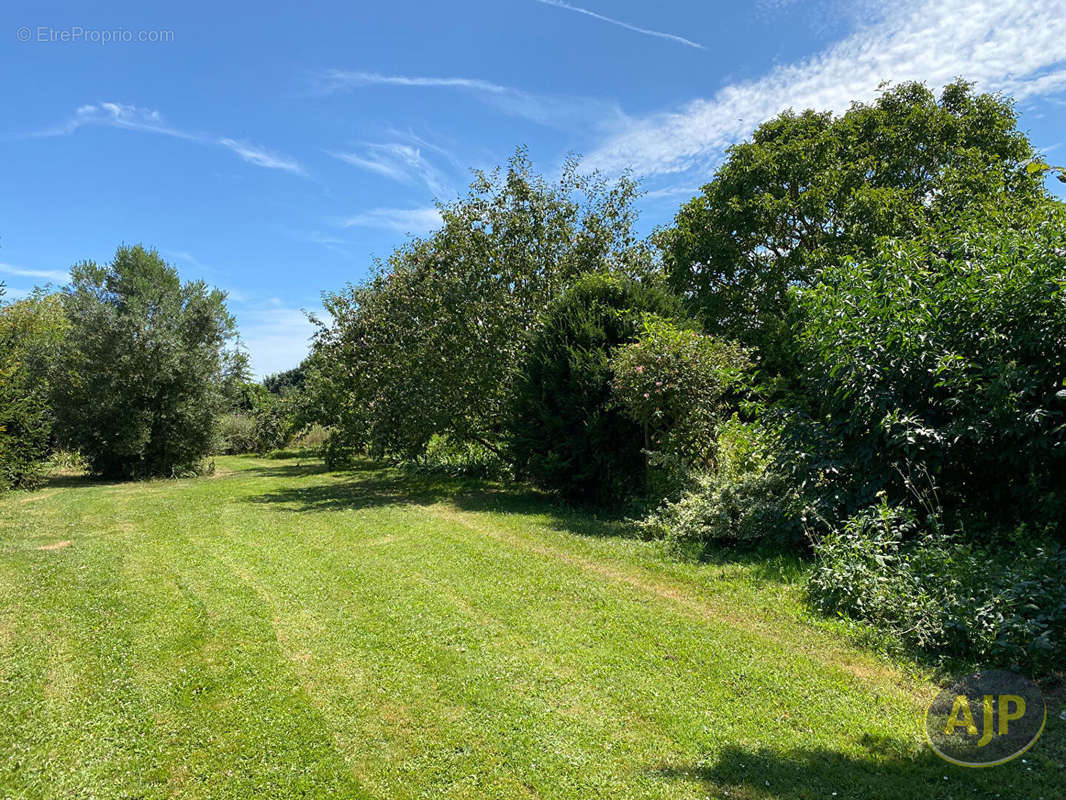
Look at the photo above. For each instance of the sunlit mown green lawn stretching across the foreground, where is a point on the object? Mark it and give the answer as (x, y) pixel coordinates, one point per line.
(279, 631)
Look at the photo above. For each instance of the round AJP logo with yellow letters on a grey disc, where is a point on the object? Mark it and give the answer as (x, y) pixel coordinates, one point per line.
(987, 718)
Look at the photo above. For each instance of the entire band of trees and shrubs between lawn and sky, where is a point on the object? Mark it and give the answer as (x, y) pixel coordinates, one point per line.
(851, 346)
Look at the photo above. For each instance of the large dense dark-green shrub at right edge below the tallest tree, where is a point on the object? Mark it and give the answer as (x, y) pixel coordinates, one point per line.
(945, 357)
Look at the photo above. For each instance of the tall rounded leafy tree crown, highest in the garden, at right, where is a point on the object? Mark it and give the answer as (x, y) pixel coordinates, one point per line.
(810, 189)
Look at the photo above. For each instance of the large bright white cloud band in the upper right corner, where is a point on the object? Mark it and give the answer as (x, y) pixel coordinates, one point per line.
(1016, 46)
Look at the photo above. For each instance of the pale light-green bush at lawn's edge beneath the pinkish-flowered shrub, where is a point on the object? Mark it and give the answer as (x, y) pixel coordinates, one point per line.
(744, 500)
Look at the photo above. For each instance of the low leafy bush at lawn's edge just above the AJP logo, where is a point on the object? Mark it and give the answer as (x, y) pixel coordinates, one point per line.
(996, 606)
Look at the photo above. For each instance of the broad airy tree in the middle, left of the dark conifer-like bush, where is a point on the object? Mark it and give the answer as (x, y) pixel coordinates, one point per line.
(431, 345)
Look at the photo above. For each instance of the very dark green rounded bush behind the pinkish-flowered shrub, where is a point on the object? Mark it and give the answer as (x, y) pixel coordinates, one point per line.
(567, 434)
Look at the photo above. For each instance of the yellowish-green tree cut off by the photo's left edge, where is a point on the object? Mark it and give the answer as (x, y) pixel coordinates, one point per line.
(31, 332)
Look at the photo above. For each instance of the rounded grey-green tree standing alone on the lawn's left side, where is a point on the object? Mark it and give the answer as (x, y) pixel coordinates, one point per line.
(148, 367)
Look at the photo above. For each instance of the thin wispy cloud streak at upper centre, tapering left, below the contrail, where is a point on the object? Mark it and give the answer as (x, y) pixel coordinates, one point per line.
(550, 110)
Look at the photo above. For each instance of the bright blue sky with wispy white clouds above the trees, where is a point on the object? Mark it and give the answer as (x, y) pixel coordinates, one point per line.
(274, 153)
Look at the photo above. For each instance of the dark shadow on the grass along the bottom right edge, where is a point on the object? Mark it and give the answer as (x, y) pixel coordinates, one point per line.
(892, 772)
